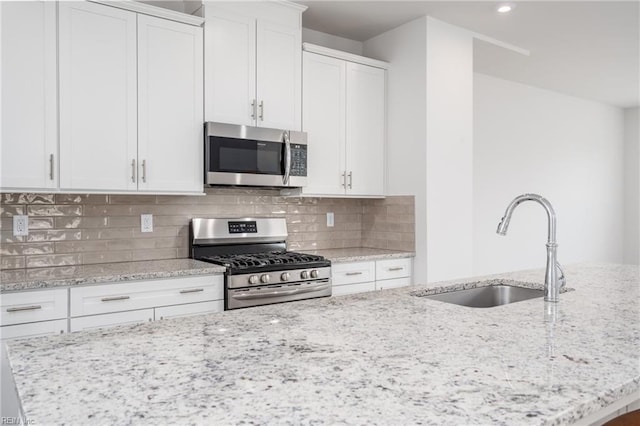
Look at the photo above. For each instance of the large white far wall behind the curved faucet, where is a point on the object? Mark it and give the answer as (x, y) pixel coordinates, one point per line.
(567, 149)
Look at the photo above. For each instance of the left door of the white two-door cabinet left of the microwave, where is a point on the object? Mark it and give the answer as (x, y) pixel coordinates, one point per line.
(98, 112)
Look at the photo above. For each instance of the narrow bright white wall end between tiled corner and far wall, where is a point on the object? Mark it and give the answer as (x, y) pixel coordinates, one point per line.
(449, 151)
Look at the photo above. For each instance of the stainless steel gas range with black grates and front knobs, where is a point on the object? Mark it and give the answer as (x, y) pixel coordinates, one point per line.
(260, 270)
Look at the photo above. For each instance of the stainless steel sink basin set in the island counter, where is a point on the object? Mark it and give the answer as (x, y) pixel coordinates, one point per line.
(487, 297)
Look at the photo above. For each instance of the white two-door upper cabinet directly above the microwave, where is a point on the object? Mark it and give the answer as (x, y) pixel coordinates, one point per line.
(253, 63)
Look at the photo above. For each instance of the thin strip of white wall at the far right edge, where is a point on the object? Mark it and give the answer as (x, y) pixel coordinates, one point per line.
(632, 186)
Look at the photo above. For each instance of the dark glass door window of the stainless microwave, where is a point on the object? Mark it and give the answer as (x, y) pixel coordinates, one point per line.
(245, 156)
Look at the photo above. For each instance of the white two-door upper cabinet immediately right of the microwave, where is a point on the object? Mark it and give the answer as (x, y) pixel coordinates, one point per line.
(344, 115)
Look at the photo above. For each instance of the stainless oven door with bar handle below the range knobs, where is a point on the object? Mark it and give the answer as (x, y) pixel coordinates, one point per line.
(268, 294)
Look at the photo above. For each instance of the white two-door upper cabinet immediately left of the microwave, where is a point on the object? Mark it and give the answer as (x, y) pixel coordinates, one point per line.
(131, 101)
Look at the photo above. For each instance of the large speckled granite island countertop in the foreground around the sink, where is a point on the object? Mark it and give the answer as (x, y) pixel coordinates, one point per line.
(384, 357)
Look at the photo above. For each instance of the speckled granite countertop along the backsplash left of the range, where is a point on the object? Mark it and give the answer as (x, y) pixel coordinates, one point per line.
(65, 276)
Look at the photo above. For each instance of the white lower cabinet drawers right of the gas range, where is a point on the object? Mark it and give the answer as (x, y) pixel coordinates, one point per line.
(358, 277)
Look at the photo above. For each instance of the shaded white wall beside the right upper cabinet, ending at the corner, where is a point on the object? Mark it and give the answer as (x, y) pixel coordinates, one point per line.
(405, 49)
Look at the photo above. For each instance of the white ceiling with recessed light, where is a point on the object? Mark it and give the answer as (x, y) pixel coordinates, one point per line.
(589, 49)
